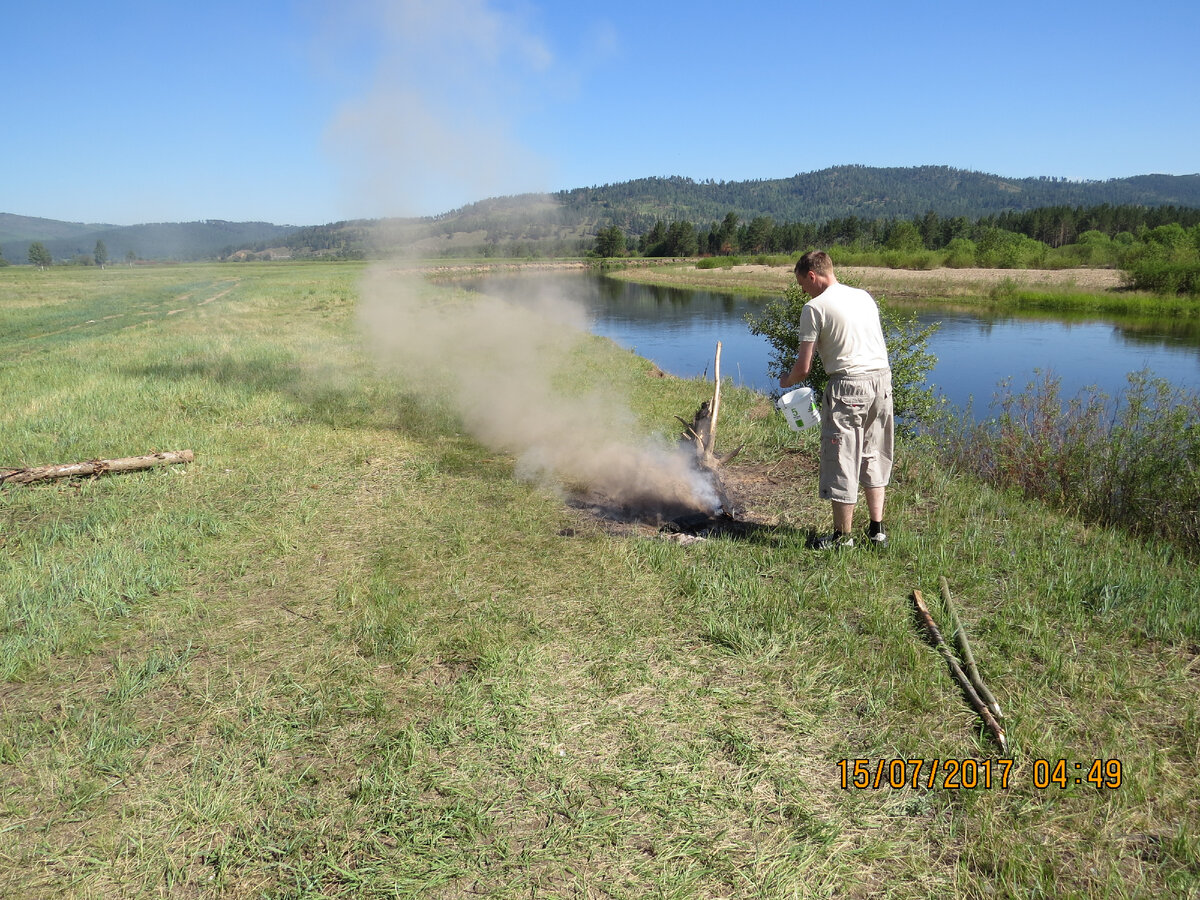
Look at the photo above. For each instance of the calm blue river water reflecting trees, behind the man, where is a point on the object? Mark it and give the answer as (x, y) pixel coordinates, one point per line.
(680, 329)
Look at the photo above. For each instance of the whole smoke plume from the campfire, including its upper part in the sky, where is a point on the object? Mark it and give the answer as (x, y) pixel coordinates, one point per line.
(439, 118)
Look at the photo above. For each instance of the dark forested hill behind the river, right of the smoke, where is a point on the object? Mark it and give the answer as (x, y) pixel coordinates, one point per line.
(866, 193)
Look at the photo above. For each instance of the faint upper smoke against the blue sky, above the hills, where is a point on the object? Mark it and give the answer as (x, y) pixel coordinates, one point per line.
(435, 125)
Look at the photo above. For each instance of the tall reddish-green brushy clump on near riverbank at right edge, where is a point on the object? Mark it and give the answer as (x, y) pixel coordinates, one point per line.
(1131, 461)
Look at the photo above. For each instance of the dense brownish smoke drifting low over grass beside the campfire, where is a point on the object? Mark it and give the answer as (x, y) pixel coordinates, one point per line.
(505, 367)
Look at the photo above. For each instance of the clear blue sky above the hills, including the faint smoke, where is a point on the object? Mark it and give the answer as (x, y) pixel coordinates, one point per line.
(303, 113)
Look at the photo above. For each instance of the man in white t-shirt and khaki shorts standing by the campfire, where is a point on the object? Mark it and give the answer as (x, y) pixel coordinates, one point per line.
(857, 429)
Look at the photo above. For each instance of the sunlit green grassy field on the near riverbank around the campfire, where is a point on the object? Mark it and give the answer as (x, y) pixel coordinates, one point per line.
(347, 655)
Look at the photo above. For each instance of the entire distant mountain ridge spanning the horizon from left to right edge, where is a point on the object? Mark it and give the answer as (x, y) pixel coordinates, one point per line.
(575, 215)
